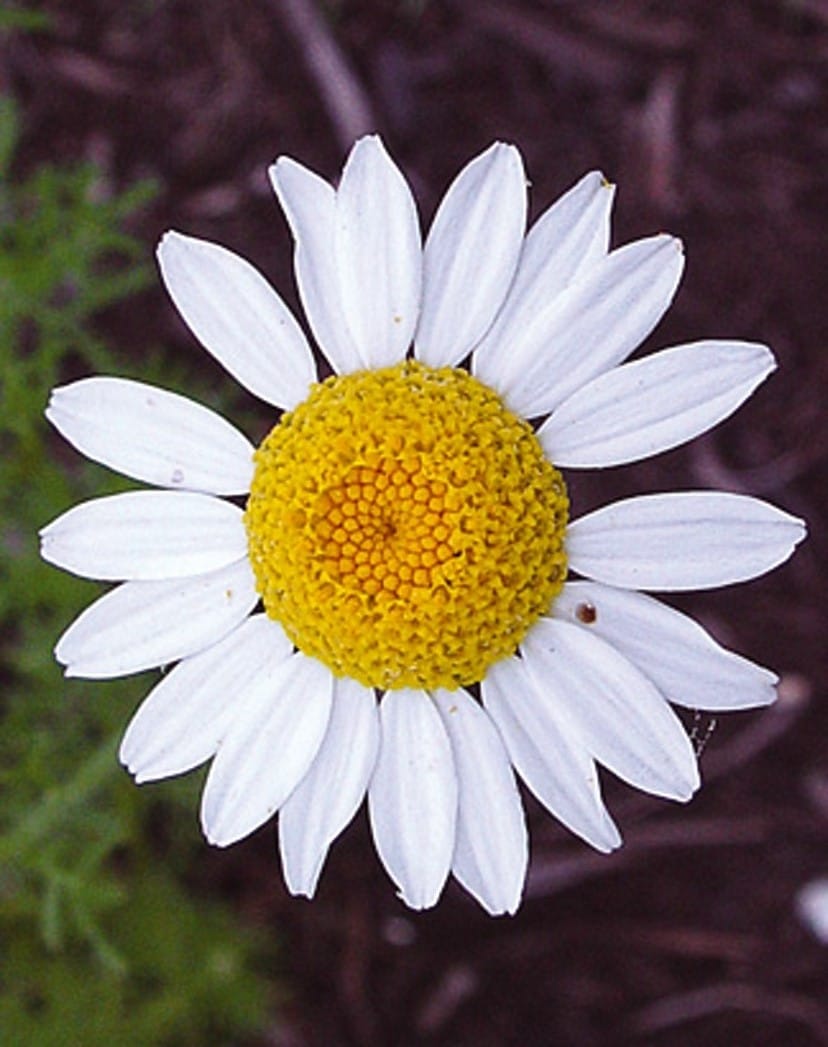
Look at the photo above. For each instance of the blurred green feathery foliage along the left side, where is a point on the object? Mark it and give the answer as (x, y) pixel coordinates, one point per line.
(102, 942)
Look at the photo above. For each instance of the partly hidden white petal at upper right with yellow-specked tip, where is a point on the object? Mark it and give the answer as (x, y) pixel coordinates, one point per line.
(570, 238)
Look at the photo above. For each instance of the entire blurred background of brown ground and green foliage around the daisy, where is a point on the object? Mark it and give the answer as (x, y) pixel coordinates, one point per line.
(122, 120)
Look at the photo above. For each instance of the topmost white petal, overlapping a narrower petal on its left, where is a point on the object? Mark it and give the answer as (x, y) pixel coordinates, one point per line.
(378, 254)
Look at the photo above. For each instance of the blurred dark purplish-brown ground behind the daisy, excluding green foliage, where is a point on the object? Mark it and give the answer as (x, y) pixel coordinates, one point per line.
(713, 120)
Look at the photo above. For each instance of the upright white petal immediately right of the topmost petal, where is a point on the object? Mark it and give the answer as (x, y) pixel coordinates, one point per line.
(472, 254)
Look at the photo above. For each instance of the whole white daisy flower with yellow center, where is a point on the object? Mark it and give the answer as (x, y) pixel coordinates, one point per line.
(404, 609)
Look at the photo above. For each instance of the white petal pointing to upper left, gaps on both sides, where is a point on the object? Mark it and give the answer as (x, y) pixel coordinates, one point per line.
(238, 317)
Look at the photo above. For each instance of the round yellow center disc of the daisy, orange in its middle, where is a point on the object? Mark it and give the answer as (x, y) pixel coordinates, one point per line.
(406, 528)
